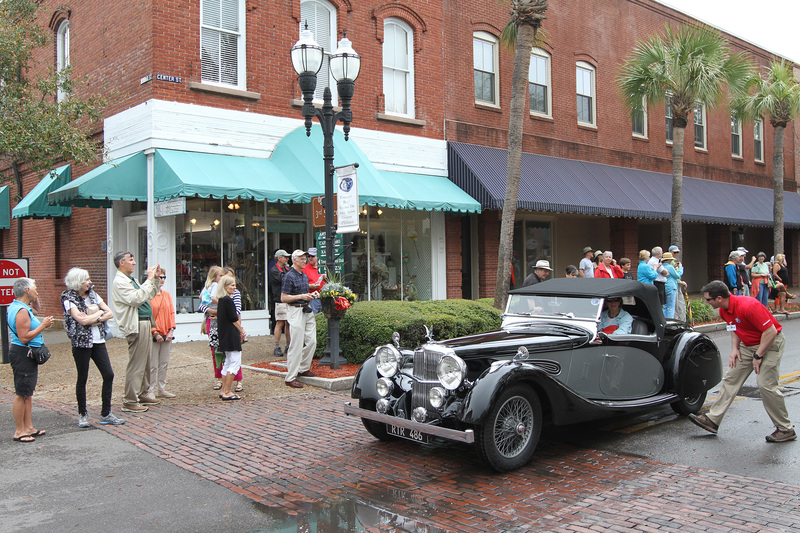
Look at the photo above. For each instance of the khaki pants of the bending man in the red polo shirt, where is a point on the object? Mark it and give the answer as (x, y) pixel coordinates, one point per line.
(768, 375)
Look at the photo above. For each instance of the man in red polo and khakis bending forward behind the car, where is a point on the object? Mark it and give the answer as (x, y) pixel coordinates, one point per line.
(757, 344)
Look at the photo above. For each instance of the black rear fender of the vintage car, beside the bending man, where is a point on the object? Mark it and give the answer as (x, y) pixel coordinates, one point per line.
(696, 365)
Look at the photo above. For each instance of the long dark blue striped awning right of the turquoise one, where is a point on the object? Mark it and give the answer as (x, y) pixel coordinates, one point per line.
(570, 186)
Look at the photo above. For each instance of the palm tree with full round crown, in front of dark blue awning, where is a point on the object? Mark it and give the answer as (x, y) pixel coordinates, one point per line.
(683, 68)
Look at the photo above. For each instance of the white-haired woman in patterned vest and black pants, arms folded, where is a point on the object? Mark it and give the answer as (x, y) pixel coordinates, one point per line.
(85, 317)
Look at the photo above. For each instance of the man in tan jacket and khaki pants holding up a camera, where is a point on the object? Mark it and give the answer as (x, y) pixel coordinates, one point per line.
(131, 304)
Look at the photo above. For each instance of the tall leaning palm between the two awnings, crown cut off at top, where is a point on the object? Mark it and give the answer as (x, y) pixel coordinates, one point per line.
(526, 19)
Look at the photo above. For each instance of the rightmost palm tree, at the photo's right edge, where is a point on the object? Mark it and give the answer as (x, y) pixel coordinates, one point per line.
(776, 95)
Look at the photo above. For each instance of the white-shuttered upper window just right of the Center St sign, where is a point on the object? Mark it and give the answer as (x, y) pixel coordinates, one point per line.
(222, 42)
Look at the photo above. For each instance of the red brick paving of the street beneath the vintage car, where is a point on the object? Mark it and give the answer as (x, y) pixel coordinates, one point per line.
(291, 452)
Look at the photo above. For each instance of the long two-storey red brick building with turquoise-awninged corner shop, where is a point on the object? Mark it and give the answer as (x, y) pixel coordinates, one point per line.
(204, 105)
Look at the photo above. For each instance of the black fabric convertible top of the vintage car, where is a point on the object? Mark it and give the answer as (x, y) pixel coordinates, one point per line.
(603, 288)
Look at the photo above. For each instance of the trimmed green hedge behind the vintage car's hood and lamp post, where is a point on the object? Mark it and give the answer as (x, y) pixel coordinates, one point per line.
(370, 324)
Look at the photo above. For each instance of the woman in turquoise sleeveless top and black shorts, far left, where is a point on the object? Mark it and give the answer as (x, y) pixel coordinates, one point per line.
(26, 333)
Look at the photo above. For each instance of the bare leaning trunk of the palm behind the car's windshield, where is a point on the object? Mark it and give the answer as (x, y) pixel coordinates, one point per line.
(519, 92)
